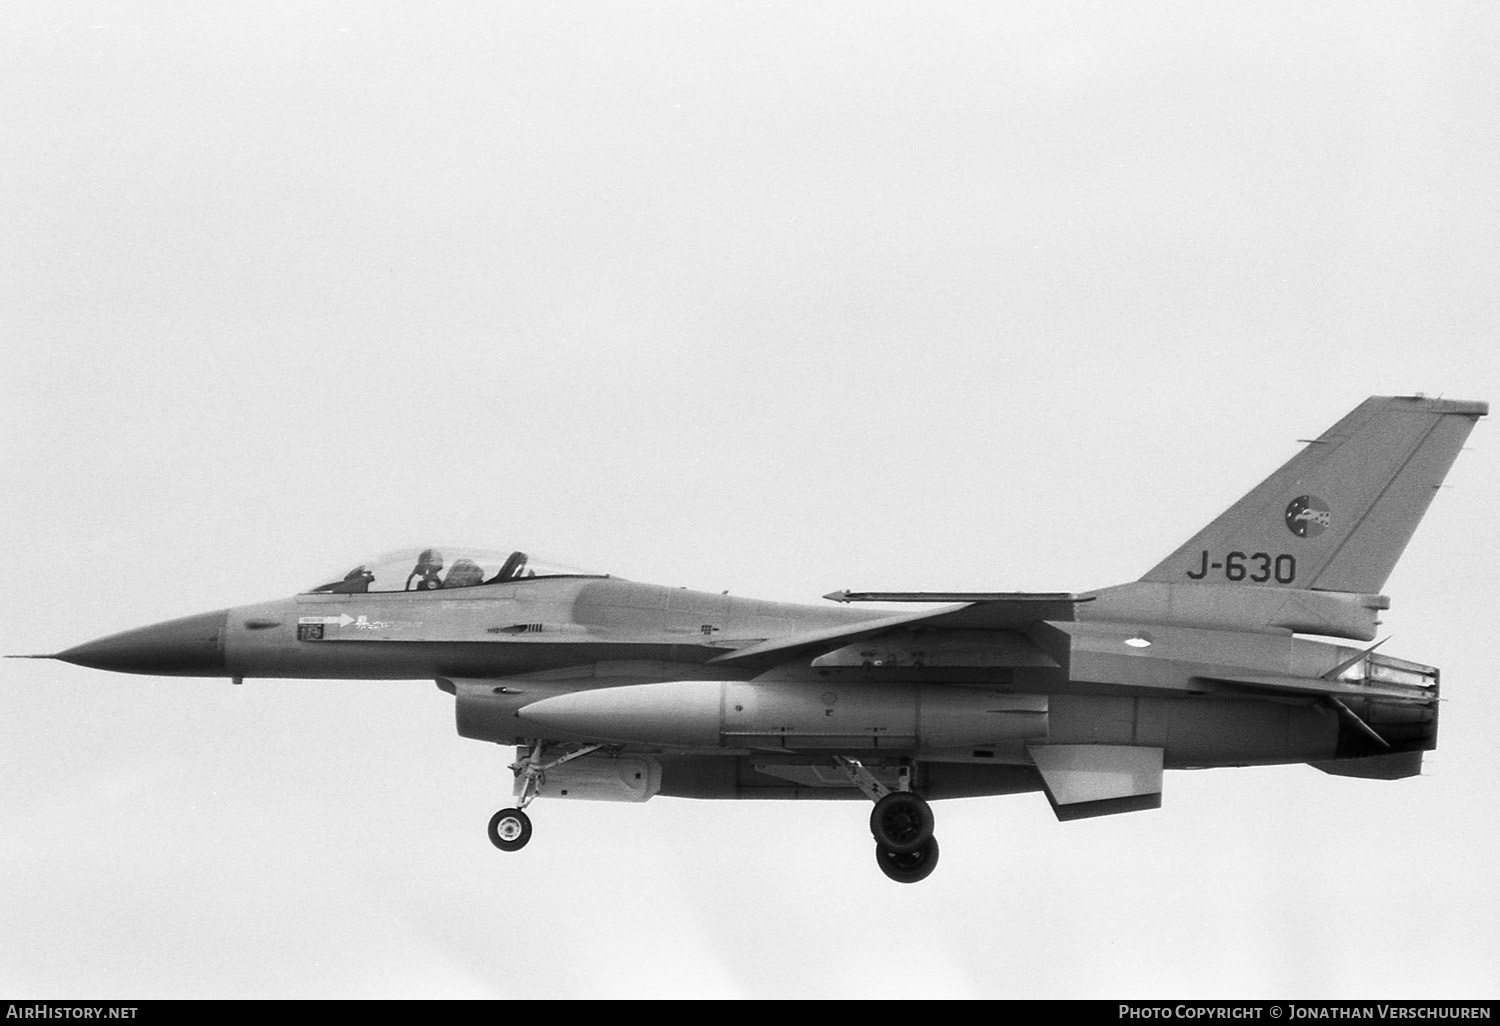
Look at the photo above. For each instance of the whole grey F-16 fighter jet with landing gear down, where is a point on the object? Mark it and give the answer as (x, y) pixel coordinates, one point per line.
(616, 691)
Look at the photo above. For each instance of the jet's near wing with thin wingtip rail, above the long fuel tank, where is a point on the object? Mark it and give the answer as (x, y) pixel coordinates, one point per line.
(1013, 611)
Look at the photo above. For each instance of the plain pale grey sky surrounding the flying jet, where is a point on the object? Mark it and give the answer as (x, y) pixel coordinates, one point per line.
(767, 298)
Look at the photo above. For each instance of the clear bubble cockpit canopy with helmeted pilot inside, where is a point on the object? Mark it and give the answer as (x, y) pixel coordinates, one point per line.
(443, 568)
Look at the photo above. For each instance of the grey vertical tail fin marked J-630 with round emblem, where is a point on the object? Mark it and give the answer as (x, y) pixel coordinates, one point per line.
(1337, 515)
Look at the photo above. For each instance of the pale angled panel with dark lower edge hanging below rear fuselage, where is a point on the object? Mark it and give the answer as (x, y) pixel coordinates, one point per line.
(1085, 781)
